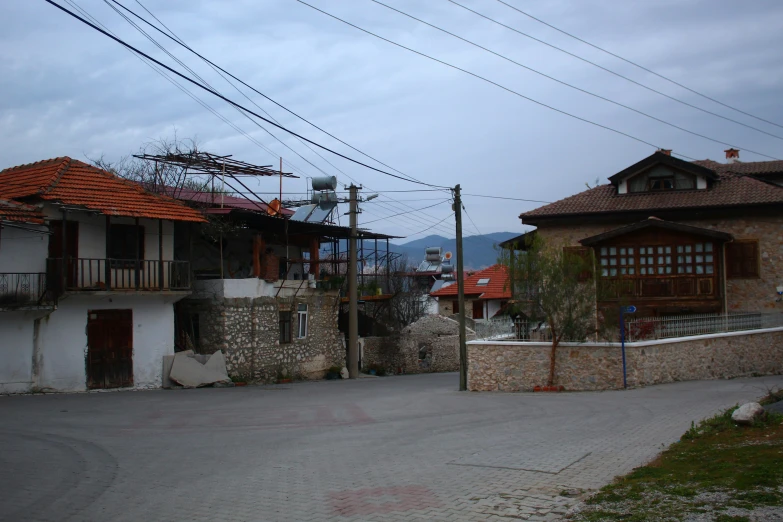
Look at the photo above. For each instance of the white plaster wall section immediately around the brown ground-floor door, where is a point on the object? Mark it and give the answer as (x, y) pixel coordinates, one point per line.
(64, 339)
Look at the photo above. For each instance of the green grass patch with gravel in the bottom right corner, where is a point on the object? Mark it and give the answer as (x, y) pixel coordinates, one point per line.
(717, 470)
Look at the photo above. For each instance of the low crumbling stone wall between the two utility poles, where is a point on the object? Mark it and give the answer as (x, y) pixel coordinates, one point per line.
(431, 344)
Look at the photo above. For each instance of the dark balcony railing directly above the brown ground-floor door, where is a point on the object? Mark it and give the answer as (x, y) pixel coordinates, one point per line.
(89, 274)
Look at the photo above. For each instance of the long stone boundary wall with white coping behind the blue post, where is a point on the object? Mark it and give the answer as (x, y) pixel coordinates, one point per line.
(520, 366)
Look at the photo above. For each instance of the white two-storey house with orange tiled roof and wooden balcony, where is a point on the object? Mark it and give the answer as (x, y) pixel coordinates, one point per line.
(87, 279)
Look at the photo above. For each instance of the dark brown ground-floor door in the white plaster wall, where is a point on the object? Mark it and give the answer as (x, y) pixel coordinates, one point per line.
(109, 348)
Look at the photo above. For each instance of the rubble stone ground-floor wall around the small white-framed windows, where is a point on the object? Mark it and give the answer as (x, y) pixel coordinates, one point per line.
(248, 333)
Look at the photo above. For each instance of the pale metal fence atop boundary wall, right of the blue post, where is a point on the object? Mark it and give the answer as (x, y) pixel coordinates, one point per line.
(650, 328)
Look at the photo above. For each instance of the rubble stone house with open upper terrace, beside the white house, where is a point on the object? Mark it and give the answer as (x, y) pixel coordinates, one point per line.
(263, 293)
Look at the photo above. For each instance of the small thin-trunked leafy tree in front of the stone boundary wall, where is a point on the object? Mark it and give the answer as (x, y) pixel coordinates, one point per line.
(552, 283)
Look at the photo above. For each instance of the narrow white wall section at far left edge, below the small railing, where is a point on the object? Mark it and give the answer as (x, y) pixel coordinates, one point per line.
(16, 351)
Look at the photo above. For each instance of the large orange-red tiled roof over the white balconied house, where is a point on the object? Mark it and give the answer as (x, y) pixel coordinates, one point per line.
(74, 182)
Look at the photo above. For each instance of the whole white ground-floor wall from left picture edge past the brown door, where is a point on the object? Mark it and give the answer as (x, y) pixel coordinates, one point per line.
(62, 343)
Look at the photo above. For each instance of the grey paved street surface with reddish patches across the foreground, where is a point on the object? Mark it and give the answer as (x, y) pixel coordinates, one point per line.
(393, 448)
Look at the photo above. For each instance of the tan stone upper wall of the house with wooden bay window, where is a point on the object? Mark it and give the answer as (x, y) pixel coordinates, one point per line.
(755, 295)
